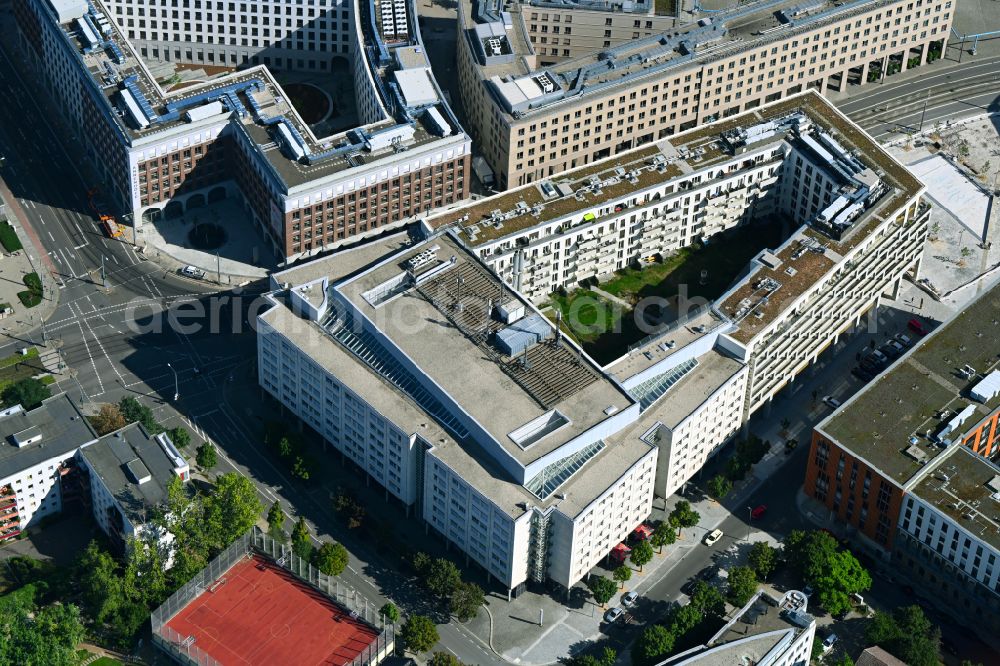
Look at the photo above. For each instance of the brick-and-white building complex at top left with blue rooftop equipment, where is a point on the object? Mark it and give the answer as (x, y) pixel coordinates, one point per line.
(163, 147)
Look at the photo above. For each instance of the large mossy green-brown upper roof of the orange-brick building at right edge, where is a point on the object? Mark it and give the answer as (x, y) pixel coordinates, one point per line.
(895, 421)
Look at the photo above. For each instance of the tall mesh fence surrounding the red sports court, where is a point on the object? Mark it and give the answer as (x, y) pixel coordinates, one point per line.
(182, 648)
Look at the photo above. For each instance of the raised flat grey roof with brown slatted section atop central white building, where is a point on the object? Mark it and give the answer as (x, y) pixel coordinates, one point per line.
(549, 379)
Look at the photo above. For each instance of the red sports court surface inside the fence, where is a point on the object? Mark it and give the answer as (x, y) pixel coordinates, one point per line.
(258, 613)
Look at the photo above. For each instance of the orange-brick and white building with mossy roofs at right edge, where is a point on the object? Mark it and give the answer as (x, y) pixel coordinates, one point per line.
(897, 466)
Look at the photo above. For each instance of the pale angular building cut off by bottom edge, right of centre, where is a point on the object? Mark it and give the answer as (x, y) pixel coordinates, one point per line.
(765, 632)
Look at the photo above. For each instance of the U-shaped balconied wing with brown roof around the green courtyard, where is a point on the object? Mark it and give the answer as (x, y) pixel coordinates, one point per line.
(859, 226)
